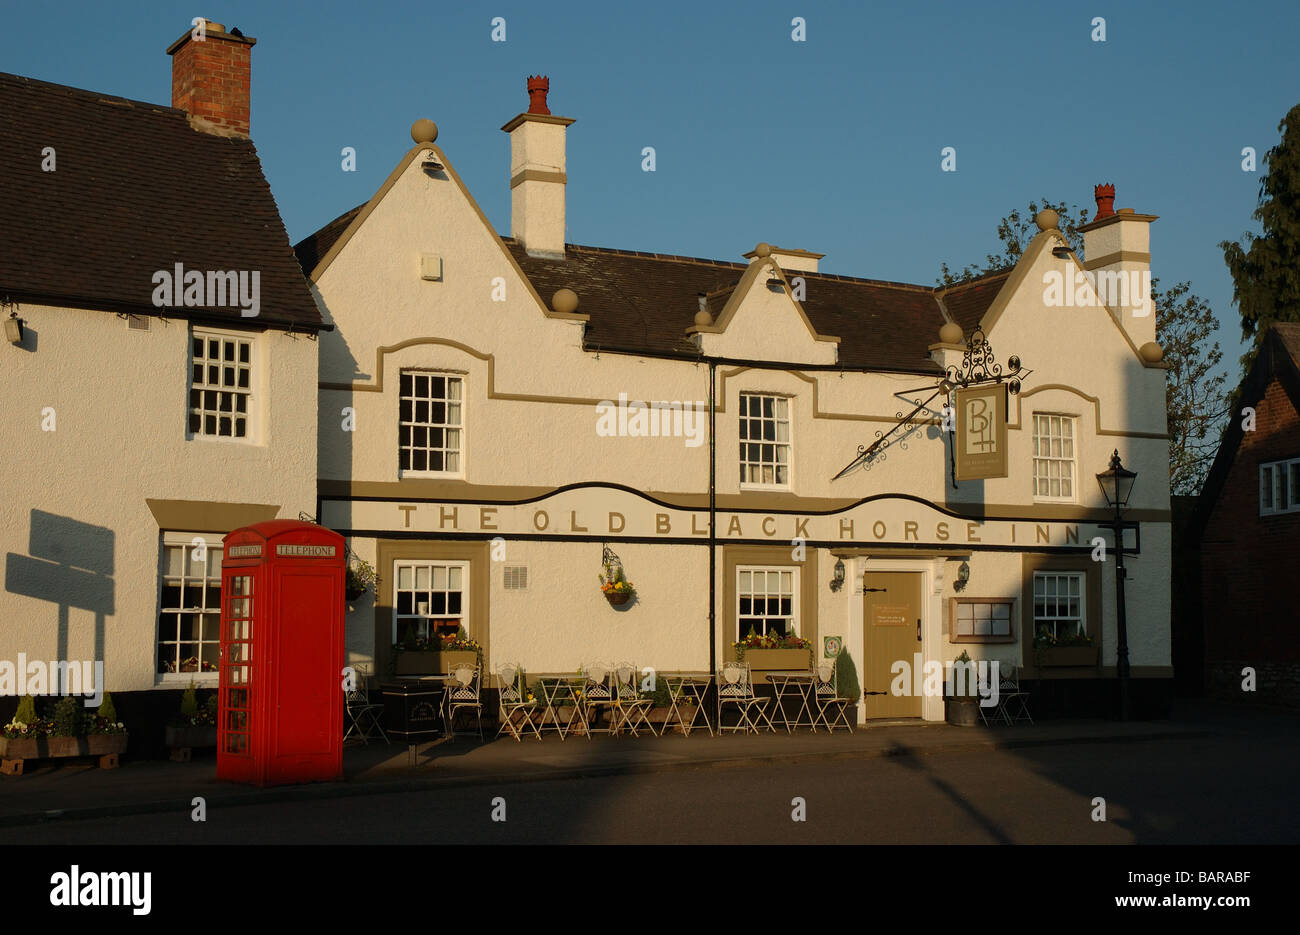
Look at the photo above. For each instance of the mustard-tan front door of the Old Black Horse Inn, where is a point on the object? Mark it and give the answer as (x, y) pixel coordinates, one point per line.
(891, 630)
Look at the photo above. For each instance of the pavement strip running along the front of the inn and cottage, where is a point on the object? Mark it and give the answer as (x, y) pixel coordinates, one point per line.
(60, 790)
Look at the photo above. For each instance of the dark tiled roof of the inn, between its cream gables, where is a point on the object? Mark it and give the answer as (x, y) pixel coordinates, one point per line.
(645, 302)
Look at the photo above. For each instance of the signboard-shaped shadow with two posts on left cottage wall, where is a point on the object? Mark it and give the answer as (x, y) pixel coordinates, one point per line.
(70, 565)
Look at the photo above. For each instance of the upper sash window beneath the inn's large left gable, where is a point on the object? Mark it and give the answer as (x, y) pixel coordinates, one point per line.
(431, 423)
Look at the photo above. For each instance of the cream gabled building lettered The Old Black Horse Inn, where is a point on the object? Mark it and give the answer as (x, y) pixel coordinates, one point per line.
(757, 445)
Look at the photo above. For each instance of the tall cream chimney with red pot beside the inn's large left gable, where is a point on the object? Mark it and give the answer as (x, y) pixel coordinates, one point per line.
(538, 175)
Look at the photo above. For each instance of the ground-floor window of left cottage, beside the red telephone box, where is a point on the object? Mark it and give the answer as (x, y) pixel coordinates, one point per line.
(190, 604)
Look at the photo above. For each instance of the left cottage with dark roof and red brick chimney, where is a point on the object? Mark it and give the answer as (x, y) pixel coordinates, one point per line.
(161, 388)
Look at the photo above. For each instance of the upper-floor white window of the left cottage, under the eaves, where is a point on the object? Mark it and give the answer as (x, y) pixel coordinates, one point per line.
(220, 386)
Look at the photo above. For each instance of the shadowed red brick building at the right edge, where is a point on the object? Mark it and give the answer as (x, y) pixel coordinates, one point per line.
(1249, 533)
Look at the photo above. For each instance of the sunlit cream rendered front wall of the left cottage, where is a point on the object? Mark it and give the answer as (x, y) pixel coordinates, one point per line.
(120, 402)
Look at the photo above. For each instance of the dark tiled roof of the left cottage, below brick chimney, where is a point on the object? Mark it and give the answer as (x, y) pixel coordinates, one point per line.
(135, 191)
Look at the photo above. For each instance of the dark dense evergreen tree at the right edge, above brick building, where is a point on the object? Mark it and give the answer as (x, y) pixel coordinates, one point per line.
(1267, 271)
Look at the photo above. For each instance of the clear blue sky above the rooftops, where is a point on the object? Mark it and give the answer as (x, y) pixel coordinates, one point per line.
(831, 145)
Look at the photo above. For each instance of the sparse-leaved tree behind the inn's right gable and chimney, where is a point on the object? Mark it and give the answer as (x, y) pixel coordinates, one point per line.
(1185, 327)
